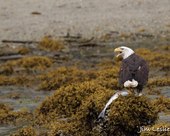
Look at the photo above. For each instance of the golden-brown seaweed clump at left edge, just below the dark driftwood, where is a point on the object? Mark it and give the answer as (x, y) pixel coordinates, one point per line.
(29, 64)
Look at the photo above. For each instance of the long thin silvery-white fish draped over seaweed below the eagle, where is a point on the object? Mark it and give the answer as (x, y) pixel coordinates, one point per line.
(114, 97)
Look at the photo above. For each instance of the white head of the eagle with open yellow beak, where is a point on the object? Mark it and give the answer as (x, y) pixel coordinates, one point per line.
(123, 51)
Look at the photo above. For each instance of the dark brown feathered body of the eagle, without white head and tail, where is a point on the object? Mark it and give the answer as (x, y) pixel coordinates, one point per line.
(134, 67)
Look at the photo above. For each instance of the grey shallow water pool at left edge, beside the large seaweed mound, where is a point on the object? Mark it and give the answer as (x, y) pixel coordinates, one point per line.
(28, 98)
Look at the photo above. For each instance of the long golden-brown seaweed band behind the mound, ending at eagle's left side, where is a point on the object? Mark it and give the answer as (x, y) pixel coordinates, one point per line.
(65, 75)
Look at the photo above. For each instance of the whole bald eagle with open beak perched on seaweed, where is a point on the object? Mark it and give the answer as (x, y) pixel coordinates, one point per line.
(133, 71)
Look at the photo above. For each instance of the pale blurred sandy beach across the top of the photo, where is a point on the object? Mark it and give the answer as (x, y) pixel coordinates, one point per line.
(31, 20)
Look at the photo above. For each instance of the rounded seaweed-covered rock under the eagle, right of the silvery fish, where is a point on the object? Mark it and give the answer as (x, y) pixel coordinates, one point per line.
(128, 113)
